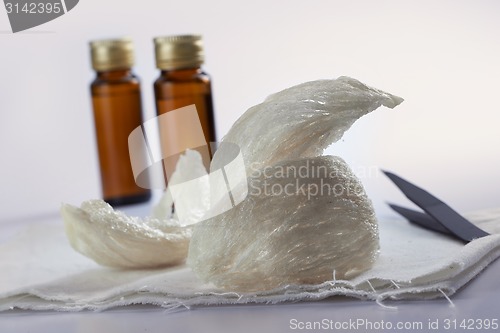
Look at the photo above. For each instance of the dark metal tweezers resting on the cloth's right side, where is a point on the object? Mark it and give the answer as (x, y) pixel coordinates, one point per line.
(437, 215)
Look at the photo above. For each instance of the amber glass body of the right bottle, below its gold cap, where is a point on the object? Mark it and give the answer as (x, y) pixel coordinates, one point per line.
(178, 88)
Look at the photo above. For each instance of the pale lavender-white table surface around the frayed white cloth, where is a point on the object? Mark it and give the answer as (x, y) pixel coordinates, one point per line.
(479, 300)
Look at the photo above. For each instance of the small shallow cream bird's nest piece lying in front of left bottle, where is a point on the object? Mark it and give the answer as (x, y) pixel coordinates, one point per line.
(114, 239)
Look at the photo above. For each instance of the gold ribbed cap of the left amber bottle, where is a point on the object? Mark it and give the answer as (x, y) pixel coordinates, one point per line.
(110, 54)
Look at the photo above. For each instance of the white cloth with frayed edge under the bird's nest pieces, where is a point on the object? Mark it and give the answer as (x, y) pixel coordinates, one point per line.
(40, 271)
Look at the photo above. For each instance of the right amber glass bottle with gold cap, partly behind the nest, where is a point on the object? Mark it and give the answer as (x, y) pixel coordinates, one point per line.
(182, 82)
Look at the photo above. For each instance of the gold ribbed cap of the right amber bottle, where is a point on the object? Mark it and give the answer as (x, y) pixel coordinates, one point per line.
(178, 52)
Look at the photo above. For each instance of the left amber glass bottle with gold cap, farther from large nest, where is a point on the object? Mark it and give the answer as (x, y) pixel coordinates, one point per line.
(116, 100)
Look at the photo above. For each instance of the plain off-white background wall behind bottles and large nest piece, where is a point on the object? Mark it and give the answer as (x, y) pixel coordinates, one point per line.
(441, 56)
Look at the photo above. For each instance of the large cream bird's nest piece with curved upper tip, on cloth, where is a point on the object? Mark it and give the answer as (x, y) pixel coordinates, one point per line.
(305, 228)
